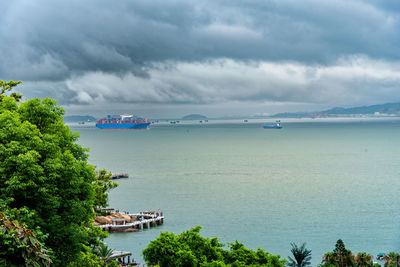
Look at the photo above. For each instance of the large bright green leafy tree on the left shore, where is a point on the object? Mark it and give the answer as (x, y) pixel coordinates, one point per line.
(43, 170)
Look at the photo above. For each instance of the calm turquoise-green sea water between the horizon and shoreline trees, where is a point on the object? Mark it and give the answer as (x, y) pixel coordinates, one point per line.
(311, 182)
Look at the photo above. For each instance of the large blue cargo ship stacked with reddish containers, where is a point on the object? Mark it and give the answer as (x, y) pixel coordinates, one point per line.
(125, 121)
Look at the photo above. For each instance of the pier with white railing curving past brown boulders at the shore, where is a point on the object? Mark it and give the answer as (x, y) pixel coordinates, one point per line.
(143, 220)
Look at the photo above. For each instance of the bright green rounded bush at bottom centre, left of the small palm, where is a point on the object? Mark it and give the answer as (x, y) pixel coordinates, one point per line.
(191, 249)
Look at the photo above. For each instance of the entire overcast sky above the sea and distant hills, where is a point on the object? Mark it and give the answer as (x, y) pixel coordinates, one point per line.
(170, 58)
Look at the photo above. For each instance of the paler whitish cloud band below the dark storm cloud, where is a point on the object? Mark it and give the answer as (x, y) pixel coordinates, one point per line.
(356, 79)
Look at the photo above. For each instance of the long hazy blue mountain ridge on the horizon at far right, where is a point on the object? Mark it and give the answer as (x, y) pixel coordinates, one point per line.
(387, 109)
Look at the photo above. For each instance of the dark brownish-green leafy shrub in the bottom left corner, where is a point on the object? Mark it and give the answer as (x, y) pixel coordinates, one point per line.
(19, 245)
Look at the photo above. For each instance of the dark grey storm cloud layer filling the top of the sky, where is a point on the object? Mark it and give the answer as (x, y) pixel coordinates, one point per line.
(121, 36)
